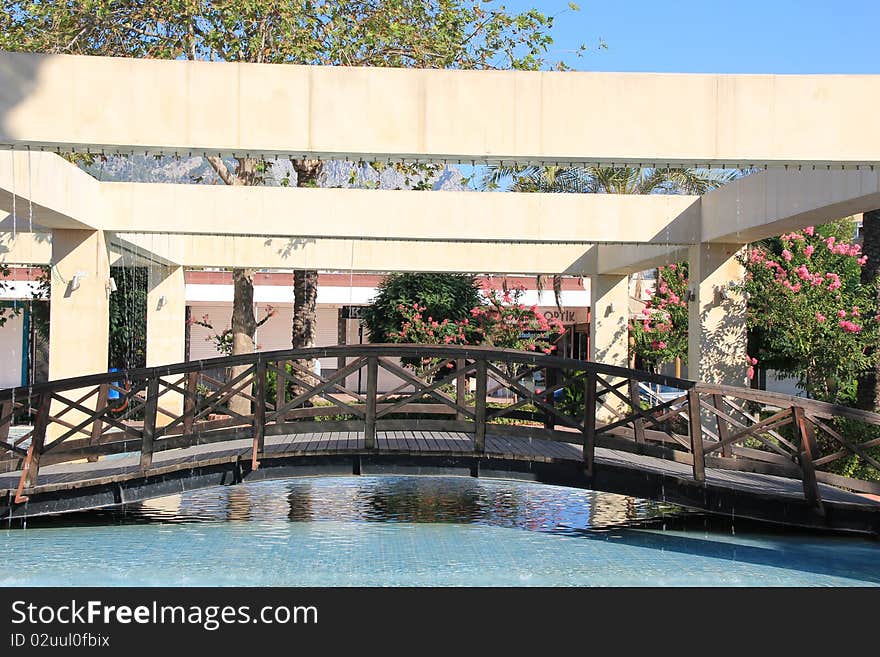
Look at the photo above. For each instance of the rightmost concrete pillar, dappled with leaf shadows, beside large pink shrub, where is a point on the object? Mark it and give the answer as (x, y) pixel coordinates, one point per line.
(716, 325)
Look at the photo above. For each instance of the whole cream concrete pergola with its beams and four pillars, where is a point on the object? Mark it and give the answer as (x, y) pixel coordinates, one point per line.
(813, 139)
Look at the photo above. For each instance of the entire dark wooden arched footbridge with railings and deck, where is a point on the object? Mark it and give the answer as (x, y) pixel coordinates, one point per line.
(115, 439)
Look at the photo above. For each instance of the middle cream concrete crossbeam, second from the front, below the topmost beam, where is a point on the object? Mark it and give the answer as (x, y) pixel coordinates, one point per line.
(397, 214)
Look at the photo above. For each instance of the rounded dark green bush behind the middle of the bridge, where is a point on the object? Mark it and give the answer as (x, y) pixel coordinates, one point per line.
(443, 296)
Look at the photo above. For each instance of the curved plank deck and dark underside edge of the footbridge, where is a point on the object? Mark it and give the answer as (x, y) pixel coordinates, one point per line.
(433, 452)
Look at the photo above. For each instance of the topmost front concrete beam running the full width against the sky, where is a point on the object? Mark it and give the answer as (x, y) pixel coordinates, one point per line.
(171, 106)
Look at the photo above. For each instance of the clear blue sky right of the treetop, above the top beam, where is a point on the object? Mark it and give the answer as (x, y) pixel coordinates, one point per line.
(745, 36)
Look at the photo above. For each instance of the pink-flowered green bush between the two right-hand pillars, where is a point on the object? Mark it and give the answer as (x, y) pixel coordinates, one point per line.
(659, 334)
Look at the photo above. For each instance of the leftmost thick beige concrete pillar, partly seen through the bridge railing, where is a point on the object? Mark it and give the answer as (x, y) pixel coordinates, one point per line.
(79, 314)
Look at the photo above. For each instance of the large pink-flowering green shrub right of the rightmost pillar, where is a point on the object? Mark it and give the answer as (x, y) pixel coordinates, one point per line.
(807, 309)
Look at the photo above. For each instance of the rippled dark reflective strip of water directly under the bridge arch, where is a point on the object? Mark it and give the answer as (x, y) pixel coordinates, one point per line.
(396, 500)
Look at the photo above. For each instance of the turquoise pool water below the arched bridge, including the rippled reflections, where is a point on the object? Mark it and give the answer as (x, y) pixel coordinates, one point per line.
(424, 532)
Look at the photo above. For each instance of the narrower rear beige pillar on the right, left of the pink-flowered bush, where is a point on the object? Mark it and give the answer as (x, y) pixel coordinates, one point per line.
(609, 332)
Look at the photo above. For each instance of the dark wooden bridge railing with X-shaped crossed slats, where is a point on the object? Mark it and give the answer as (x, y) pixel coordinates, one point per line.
(146, 411)
